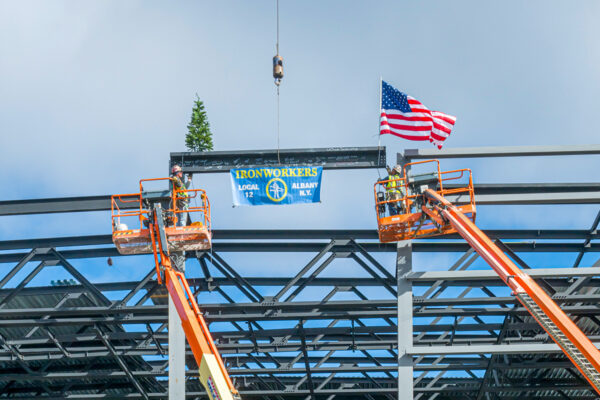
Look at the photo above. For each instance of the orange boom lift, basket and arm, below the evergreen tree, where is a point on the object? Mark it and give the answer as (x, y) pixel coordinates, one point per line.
(159, 233)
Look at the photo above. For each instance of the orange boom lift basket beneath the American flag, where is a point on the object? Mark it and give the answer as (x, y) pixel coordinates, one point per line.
(410, 216)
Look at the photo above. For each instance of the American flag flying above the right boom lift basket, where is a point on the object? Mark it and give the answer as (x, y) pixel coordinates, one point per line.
(406, 117)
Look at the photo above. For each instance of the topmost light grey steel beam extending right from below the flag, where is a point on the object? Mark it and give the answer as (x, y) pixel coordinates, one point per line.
(501, 151)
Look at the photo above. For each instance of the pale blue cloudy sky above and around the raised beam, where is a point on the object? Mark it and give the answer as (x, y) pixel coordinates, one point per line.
(95, 95)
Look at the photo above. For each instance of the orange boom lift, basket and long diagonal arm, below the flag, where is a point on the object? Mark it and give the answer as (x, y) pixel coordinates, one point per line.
(423, 212)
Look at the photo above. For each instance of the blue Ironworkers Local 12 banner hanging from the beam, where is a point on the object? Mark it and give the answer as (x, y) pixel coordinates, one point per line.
(276, 185)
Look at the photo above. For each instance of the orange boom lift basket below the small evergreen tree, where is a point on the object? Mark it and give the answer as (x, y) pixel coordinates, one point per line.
(196, 236)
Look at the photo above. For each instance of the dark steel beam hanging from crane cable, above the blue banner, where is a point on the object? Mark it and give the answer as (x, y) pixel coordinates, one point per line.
(328, 158)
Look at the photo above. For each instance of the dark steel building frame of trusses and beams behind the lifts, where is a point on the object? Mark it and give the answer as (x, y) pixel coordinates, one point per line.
(307, 335)
